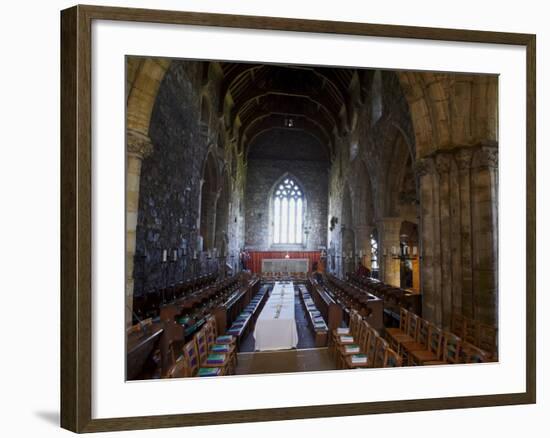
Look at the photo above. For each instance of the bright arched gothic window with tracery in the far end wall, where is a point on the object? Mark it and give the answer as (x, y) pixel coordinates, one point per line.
(288, 212)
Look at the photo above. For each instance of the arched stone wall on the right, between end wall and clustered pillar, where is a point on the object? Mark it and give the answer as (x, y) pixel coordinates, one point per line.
(373, 162)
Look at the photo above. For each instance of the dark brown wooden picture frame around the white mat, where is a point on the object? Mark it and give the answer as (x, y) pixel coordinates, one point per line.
(76, 174)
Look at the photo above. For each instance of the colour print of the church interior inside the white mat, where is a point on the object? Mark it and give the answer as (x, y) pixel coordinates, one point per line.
(295, 218)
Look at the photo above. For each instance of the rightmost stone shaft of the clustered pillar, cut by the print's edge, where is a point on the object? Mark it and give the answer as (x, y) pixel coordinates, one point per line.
(485, 238)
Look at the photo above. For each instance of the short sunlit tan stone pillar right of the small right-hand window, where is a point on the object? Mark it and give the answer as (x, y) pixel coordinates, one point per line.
(388, 235)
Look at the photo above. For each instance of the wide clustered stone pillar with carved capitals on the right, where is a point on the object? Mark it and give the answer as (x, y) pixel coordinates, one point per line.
(458, 234)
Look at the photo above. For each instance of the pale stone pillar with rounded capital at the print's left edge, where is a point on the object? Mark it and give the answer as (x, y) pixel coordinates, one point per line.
(138, 147)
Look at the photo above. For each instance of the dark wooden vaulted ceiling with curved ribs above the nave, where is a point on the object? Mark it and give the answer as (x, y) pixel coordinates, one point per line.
(259, 98)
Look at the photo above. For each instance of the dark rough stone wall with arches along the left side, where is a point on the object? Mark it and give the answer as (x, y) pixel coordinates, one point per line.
(170, 186)
